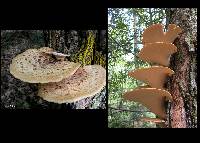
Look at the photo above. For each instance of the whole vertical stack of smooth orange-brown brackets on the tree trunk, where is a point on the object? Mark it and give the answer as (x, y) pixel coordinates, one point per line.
(157, 49)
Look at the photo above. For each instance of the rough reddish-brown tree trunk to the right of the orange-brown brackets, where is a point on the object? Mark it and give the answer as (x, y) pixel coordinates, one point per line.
(183, 84)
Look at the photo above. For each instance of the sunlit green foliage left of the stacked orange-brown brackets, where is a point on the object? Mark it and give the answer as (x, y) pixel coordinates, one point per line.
(125, 27)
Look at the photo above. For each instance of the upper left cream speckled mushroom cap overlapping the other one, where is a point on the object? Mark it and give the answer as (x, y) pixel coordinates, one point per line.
(35, 66)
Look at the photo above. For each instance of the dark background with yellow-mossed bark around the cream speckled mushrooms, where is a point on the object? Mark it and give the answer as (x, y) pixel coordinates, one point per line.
(87, 47)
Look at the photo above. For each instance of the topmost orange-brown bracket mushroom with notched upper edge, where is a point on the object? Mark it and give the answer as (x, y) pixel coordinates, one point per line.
(154, 33)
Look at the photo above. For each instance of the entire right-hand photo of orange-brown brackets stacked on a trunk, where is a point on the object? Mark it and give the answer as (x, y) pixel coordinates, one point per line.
(149, 68)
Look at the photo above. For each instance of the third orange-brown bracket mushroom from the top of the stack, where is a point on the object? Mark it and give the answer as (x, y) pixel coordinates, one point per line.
(154, 76)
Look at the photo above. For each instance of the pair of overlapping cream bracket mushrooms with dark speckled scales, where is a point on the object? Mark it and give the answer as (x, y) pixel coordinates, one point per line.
(60, 81)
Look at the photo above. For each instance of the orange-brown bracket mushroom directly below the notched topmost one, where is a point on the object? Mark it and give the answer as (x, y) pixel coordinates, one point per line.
(157, 53)
